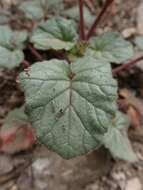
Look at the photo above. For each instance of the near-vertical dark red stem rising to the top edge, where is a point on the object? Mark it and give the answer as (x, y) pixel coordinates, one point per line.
(82, 32)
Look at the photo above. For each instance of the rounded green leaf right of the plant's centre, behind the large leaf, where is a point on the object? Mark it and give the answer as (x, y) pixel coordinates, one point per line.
(111, 47)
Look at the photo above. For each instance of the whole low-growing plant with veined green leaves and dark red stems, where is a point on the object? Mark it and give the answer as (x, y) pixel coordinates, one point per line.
(70, 93)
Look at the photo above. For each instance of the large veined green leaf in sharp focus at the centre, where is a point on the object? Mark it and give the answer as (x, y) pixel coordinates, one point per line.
(69, 104)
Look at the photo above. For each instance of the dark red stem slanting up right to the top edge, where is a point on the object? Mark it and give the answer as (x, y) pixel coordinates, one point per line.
(98, 19)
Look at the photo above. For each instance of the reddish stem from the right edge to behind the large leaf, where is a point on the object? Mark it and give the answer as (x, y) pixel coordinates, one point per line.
(127, 65)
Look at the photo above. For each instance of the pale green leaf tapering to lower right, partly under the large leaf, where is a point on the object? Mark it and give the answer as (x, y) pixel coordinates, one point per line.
(117, 141)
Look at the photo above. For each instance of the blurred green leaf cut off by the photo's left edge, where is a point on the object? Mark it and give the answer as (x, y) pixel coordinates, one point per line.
(11, 45)
